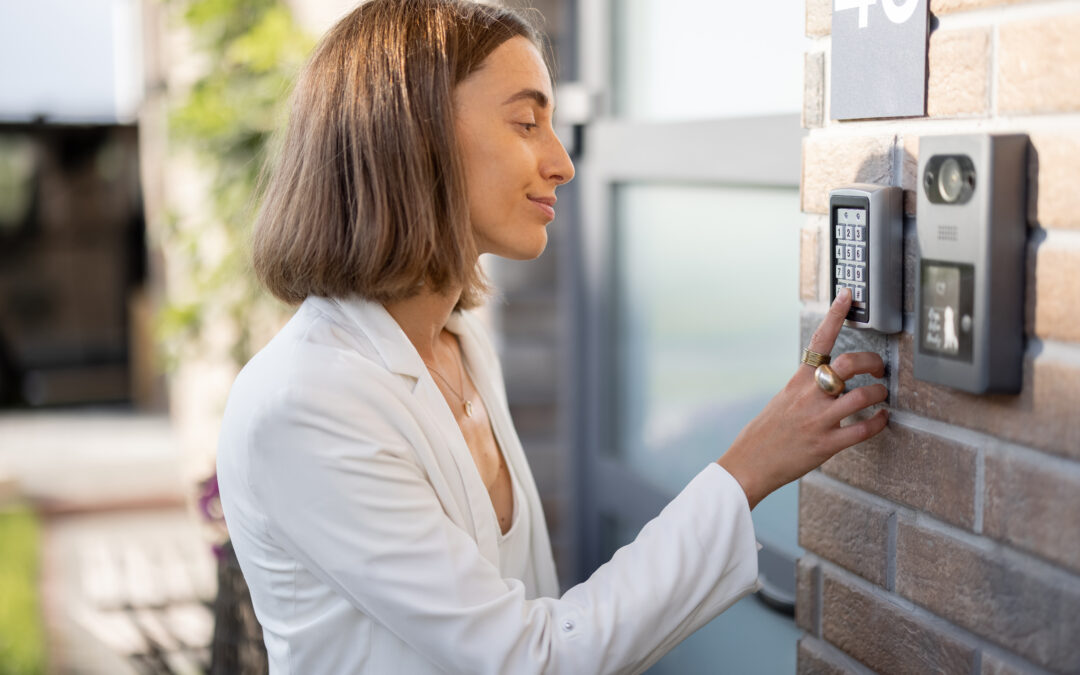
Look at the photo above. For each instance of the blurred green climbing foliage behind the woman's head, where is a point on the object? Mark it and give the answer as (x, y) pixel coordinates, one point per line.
(254, 51)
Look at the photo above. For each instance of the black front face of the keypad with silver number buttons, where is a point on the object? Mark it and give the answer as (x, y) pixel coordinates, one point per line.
(850, 260)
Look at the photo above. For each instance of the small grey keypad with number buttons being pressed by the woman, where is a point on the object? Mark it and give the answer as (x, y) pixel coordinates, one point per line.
(867, 235)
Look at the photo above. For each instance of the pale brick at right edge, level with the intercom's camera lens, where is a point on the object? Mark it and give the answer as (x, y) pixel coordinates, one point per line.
(1055, 201)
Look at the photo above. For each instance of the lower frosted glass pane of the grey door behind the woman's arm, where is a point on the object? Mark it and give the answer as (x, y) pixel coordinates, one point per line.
(708, 322)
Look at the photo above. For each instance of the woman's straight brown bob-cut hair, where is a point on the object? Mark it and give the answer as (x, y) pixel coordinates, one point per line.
(368, 197)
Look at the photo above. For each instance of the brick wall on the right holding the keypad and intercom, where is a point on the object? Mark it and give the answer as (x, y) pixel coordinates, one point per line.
(951, 544)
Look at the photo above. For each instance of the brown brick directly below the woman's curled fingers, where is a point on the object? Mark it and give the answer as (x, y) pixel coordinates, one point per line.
(913, 468)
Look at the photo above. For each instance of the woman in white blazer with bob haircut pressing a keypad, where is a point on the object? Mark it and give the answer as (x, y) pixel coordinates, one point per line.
(375, 491)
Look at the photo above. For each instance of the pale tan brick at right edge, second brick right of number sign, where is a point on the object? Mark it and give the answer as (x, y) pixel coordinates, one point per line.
(1037, 65)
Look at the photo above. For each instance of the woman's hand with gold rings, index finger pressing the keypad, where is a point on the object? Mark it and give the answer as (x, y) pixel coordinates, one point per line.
(801, 428)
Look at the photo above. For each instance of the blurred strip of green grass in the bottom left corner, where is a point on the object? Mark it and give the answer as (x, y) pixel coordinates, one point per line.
(22, 642)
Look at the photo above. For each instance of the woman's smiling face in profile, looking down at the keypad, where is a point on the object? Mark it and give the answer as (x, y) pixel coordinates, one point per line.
(514, 161)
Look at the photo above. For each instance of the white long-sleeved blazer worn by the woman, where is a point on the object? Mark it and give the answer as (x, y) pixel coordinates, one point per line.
(370, 543)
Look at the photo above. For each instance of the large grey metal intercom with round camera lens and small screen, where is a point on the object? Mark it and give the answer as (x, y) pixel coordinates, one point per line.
(973, 232)
